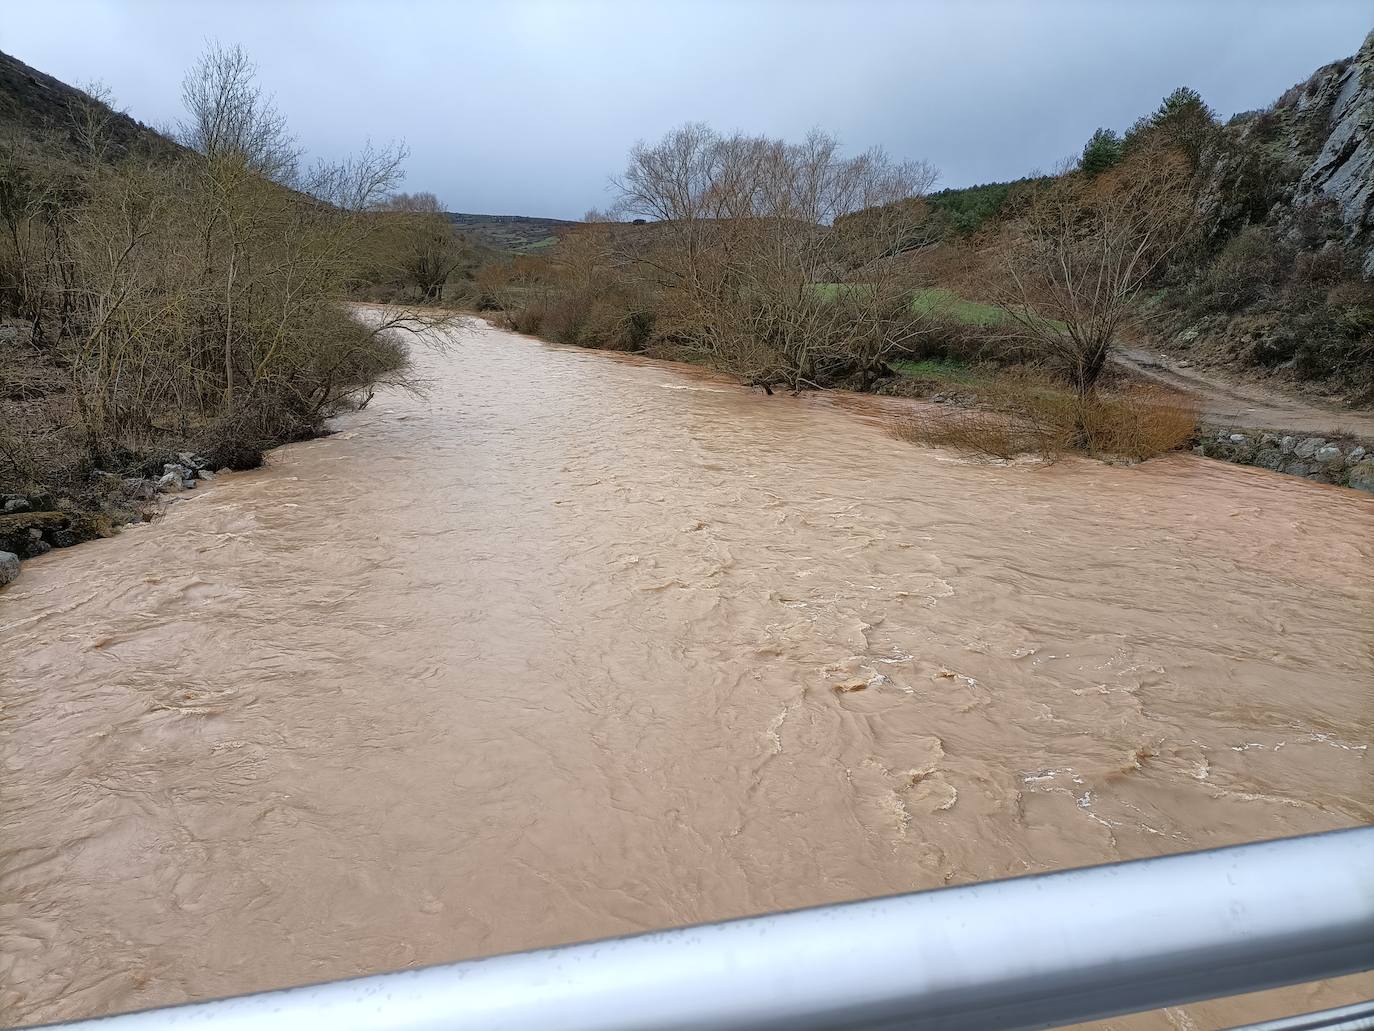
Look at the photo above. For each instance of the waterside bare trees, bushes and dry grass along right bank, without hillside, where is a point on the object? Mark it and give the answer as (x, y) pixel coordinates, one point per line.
(795, 267)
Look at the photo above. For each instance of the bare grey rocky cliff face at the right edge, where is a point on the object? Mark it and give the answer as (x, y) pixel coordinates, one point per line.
(1340, 101)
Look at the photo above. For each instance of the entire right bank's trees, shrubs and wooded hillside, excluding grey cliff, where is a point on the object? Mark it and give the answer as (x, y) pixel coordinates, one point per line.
(791, 266)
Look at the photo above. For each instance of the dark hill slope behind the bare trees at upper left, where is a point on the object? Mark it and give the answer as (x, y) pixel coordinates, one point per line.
(36, 105)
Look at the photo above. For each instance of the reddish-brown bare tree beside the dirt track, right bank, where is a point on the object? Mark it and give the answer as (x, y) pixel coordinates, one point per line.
(1083, 254)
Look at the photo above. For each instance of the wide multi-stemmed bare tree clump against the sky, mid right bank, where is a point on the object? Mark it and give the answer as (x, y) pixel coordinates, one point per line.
(759, 256)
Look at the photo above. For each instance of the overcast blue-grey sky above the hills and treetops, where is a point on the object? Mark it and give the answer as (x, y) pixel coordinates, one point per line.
(526, 108)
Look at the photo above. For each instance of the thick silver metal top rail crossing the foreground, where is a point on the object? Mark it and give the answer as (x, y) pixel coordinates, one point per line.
(1024, 953)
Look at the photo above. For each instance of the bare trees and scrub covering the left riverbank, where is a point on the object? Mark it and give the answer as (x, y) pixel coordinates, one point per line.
(163, 298)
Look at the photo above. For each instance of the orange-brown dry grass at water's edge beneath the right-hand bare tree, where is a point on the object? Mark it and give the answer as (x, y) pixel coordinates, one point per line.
(1027, 416)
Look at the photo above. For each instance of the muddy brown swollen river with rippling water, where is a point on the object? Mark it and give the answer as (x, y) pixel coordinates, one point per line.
(581, 645)
